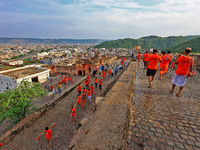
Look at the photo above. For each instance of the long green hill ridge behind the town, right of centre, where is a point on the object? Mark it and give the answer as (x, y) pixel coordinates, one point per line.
(146, 42)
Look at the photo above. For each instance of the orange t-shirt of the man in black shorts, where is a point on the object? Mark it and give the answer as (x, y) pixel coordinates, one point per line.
(153, 61)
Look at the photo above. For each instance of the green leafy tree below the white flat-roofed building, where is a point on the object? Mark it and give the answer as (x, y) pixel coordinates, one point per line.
(16, 104)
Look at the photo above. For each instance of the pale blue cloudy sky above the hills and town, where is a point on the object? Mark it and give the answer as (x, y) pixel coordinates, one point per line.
(102, 19)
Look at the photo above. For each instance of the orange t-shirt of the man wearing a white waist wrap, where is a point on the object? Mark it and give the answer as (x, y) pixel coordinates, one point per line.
(184, 62)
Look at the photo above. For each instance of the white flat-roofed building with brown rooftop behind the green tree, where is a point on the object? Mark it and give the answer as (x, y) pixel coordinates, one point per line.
(9, 79)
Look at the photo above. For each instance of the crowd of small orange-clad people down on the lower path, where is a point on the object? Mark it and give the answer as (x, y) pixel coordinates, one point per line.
(86, 90)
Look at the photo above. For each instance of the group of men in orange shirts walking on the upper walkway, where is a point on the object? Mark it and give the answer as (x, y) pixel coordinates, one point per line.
(154, 62)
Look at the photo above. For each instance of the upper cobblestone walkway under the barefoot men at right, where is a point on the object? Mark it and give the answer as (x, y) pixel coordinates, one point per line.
(161, 120)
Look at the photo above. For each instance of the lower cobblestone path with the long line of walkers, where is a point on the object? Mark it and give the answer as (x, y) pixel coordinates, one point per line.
(64, 130)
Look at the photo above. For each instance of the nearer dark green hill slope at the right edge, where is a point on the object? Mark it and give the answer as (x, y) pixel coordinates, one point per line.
(194, 44)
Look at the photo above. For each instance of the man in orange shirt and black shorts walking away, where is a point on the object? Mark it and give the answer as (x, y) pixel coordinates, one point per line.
(152, 63)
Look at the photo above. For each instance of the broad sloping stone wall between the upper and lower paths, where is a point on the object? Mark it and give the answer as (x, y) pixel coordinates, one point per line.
(106, 128)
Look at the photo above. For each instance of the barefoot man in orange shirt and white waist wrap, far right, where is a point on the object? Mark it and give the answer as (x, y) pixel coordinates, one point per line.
(185, 64)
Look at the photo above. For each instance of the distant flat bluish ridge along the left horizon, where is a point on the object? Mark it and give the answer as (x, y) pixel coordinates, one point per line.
(49, 41)
